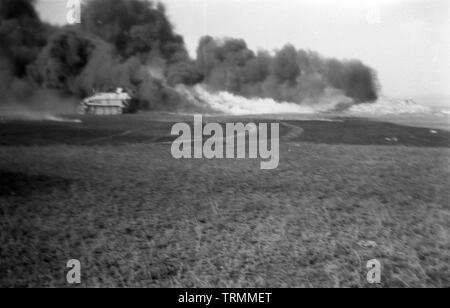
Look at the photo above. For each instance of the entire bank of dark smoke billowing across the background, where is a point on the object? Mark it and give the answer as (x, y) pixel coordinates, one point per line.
(132, 44)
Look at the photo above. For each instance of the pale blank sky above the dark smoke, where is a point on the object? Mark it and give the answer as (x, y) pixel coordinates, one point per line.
(406, 41)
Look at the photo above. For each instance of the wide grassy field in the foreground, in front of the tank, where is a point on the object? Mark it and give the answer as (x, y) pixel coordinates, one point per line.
(109, 193)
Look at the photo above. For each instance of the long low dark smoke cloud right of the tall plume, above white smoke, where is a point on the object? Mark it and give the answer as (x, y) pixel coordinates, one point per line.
(289, 75)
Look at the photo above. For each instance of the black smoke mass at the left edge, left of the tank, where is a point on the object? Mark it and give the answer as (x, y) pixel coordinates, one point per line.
(22, 37)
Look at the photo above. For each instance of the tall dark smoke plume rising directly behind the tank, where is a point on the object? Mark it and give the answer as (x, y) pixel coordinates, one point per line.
(121, 43)
